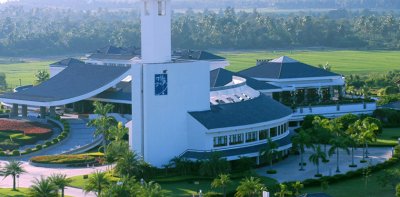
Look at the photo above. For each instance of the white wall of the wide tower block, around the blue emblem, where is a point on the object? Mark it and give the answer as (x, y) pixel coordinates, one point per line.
(165, 118)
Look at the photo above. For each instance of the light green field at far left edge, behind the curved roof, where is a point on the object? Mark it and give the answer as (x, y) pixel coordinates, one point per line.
(24, 71)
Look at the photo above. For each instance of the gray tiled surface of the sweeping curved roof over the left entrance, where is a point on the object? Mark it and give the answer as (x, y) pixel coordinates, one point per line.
(72, 82)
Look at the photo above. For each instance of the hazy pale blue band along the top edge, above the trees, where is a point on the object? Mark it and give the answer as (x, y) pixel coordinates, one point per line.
(216, 4)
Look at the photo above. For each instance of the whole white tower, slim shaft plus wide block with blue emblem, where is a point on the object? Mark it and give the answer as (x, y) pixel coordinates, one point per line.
(164, 91)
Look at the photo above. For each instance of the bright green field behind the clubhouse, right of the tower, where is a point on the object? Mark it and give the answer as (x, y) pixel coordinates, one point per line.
(342, 61)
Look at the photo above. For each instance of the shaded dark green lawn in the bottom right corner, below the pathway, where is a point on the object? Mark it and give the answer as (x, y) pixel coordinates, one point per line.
(356, 187)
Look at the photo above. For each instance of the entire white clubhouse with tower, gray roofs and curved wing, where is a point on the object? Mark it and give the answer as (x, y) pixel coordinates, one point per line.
(184, 103)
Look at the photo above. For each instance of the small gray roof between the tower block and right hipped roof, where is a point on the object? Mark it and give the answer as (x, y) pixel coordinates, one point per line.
(220, 77)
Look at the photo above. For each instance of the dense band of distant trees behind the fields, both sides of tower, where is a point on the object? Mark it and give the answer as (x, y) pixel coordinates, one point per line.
(52, 31)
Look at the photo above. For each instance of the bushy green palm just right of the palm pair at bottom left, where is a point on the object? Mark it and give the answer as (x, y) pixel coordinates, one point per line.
(97, 182)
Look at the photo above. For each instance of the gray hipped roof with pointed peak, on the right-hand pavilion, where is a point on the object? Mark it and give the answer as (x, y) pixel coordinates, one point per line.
(285, 70)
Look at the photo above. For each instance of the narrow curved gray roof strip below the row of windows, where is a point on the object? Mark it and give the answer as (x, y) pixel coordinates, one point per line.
(237, 151)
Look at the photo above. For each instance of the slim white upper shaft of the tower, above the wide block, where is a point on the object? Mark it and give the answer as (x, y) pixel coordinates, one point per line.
(156, 31)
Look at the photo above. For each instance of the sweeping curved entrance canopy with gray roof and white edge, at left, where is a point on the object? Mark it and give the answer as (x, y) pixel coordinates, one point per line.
(77, 82)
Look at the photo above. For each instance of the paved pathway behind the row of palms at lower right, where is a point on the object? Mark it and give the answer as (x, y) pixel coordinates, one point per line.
(288, 169)
